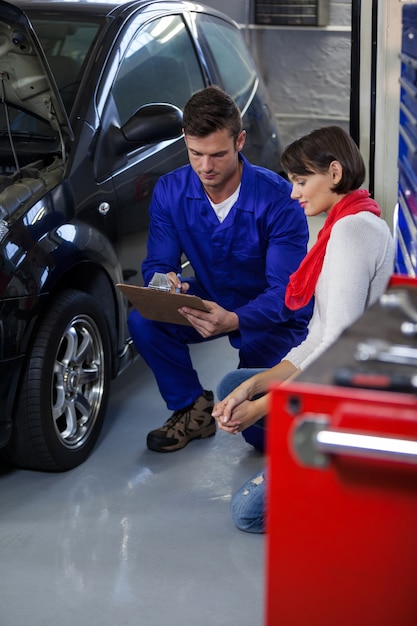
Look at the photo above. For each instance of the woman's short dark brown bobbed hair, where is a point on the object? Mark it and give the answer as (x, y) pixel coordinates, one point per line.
(313, 153)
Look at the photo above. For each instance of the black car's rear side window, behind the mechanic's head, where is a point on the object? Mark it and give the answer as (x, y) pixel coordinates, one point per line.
(230, 56)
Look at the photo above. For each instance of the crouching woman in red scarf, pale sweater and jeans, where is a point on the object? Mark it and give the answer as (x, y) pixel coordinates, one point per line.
(346, 270)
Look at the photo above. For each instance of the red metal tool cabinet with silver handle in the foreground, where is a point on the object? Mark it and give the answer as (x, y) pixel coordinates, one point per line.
(342, 492)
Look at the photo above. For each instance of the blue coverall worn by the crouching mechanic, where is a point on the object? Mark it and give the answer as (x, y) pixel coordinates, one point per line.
(243, 264)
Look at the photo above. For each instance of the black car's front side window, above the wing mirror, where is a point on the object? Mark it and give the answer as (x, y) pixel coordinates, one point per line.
(160, 65)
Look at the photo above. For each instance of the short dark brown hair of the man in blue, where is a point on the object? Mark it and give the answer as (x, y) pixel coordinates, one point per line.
(209, 110)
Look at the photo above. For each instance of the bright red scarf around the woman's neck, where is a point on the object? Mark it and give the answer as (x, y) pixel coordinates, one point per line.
(302, 283)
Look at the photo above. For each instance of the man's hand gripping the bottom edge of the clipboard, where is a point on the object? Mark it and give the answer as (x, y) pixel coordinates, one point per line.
(215, 322)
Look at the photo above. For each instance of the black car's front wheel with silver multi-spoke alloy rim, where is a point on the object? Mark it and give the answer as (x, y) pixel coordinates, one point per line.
(65, 387)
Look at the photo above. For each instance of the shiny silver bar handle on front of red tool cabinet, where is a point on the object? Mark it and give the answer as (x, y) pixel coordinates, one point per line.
(313, 442)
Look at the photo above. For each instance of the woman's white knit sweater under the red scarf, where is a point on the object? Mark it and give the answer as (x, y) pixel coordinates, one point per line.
(358, 264)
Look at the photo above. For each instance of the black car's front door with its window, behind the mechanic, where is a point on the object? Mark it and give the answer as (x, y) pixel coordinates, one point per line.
(159, 64)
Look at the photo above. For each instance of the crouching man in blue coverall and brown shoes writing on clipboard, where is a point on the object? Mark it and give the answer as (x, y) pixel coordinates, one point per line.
(243, 236)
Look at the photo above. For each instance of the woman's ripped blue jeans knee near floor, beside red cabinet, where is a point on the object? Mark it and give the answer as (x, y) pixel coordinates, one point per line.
(248, 505)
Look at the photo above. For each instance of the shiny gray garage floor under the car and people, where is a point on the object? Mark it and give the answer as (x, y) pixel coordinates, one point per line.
(134, 537)
